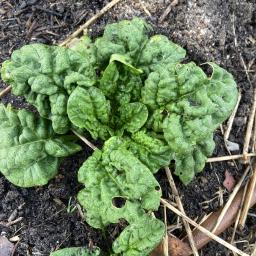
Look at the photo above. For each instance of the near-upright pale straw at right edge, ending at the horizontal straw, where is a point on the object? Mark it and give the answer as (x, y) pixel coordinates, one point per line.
(249, 129)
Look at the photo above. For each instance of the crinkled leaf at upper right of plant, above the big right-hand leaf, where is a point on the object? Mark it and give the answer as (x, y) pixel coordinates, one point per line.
(158, 52)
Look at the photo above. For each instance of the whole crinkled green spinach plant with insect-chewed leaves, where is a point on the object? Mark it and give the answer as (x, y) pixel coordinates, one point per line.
(135, 93)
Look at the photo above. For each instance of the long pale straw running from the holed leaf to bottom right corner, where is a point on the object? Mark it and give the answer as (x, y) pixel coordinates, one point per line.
(202, 229)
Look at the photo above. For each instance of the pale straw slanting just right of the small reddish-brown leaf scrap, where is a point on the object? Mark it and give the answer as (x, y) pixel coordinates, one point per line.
(230, 200)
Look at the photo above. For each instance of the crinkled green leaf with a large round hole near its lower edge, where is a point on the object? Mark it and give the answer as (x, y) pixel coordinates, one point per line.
(116, 173)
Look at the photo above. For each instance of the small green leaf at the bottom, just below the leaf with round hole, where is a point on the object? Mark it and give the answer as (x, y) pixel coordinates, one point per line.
(140, 238)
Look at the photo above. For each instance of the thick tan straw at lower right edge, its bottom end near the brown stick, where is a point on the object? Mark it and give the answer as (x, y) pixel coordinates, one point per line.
(248, 198)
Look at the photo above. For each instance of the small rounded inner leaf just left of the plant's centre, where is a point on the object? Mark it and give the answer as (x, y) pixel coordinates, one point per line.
(89, 109)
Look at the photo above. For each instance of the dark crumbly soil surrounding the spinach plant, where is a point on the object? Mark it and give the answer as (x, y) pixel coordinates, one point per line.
(219, 31)
